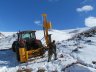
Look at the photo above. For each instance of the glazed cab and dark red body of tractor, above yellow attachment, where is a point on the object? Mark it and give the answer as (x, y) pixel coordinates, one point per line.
(30, 40)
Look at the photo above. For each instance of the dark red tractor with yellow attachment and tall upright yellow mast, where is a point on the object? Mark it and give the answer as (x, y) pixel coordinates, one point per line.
(27, 46)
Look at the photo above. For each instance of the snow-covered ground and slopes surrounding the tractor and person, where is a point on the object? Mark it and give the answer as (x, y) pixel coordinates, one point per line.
(74, 55)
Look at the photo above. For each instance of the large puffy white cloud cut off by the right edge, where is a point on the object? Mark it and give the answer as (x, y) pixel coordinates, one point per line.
(90, 21)
